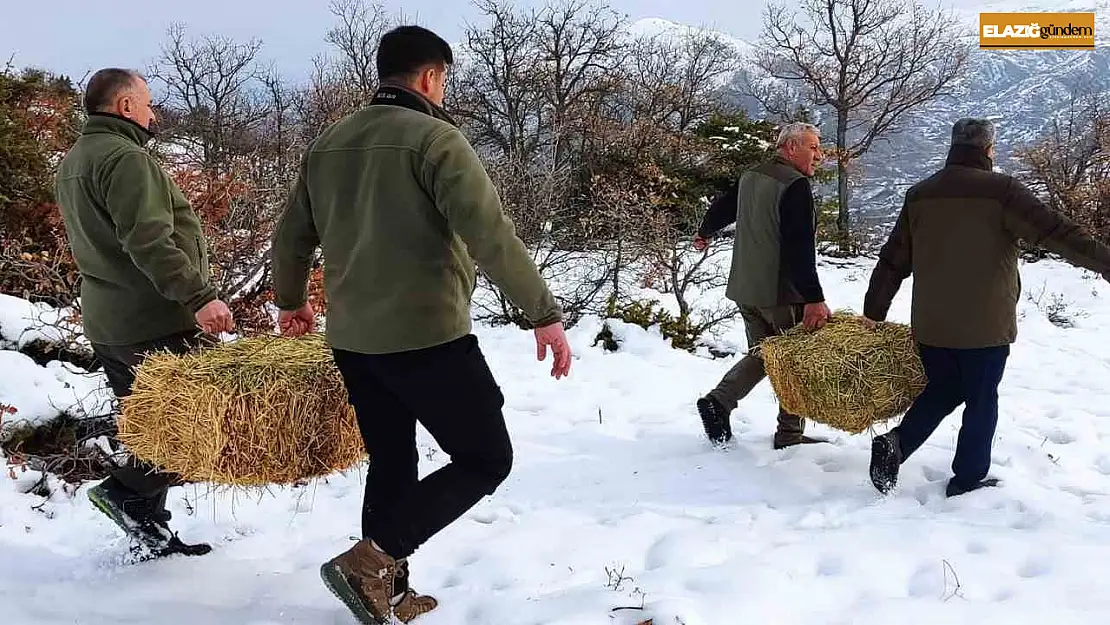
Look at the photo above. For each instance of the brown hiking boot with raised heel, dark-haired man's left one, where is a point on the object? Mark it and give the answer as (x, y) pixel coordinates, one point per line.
(362, 579)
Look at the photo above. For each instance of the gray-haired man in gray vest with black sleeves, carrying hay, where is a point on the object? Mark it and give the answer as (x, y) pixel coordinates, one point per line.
(774, 275)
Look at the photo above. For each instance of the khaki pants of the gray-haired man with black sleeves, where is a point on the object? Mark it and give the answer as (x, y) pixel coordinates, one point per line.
(761, 324)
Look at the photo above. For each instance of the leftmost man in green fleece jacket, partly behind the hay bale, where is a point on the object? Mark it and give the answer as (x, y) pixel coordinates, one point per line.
(145, 276)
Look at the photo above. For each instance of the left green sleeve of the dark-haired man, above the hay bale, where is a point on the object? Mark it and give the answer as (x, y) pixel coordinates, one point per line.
(295, 243)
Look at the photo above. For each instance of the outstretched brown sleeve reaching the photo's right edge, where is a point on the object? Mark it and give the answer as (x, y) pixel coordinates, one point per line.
(1030, 219)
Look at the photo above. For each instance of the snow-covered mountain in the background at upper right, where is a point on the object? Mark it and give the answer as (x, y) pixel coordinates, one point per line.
(1021, 90)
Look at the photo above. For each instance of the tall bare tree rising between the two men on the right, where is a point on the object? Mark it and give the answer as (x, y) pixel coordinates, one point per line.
(871, 62)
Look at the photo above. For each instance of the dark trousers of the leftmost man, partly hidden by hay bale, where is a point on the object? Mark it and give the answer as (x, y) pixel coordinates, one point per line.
(119, 362)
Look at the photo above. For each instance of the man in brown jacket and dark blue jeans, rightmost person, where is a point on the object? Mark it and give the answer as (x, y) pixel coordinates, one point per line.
(958, 235)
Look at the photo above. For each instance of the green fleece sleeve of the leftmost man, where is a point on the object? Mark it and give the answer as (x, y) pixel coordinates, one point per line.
(138, 198)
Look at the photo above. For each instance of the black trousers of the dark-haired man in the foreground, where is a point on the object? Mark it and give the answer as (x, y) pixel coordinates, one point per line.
(449, 390)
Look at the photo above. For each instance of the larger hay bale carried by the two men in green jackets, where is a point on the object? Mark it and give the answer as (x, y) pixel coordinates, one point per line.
(258, 411)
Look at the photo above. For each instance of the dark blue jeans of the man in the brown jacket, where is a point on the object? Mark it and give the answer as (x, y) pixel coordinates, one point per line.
(958, 377)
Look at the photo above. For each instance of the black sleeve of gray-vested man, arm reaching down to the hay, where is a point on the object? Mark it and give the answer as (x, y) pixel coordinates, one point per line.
(800, 240)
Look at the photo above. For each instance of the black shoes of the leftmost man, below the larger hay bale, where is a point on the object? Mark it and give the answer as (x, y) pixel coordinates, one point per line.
(142, 519)
